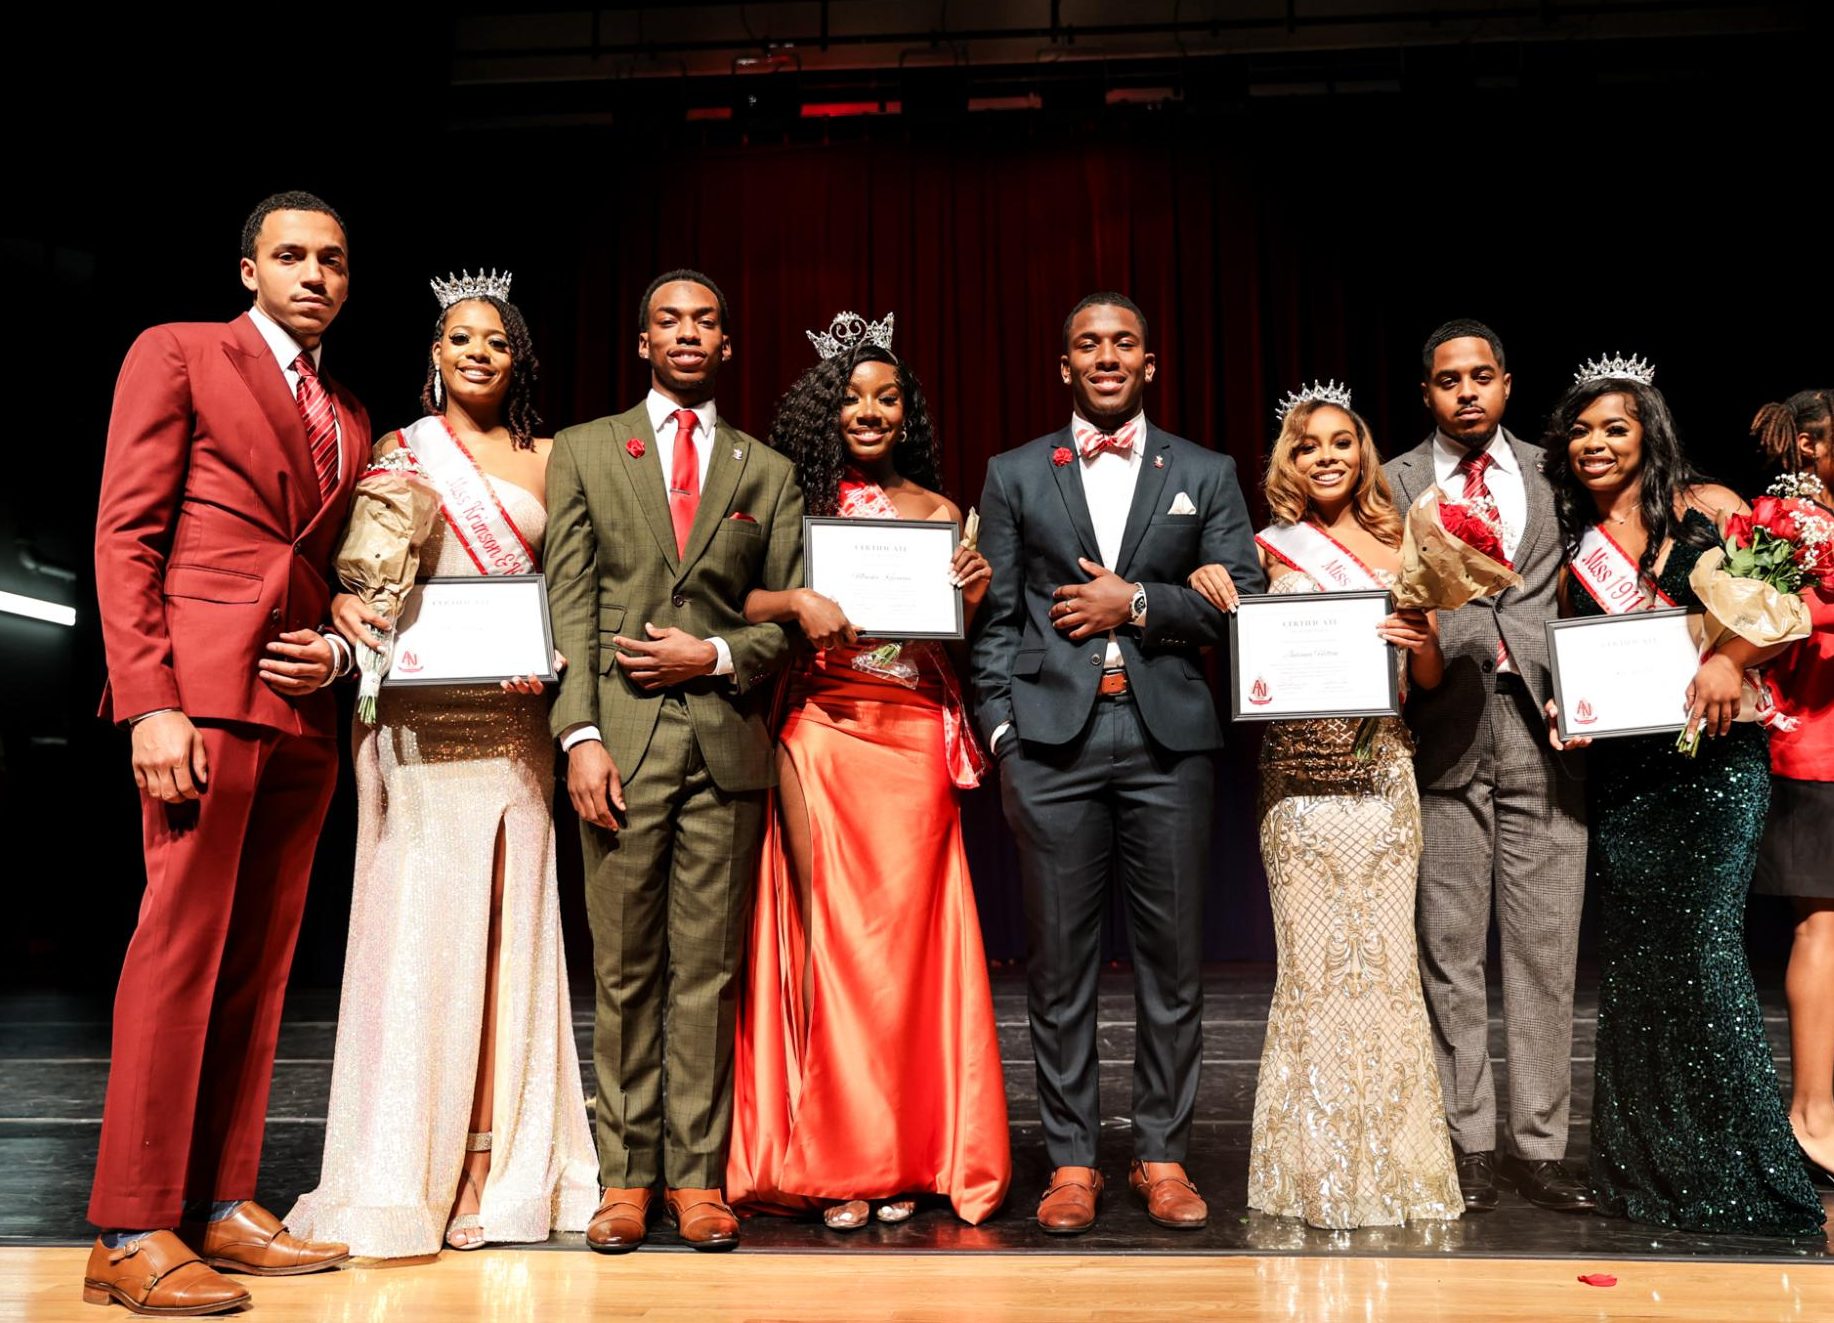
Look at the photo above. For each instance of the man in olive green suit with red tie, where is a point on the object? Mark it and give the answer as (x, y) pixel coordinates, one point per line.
(661, 522)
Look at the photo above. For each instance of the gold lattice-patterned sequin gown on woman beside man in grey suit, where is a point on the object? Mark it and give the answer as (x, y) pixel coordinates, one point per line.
(1349, 1118)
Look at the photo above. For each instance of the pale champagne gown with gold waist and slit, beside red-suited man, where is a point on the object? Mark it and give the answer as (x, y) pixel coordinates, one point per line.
(436, 779)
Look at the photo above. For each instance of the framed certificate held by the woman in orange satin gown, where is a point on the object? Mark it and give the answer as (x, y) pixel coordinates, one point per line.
(889, 575)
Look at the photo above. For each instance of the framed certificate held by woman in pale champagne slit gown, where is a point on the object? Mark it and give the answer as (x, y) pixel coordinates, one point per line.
(474, 630)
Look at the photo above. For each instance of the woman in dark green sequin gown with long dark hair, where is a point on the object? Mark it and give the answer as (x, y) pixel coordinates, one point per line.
(1688, 1124)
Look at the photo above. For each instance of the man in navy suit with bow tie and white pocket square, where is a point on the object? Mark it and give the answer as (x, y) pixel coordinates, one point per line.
(1092, 695)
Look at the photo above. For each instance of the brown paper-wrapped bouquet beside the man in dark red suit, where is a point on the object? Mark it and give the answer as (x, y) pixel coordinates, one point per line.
(390, 520)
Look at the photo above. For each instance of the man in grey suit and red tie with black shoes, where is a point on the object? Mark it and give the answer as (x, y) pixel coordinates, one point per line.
(1503, 812)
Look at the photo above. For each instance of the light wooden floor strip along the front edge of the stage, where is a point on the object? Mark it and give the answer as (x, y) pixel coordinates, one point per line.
(511, 1287)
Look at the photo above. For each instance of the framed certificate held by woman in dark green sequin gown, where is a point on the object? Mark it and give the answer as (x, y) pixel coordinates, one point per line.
(1622, 674)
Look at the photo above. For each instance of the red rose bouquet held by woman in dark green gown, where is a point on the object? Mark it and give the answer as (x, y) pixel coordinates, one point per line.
(1752, 584)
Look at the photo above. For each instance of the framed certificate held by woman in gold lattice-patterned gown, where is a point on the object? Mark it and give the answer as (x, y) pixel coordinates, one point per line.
(1298, 656)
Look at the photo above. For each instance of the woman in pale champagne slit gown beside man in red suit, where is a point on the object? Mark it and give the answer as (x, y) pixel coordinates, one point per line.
(458, 1113)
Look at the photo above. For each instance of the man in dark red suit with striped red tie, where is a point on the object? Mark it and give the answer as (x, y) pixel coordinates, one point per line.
(230, 471)
